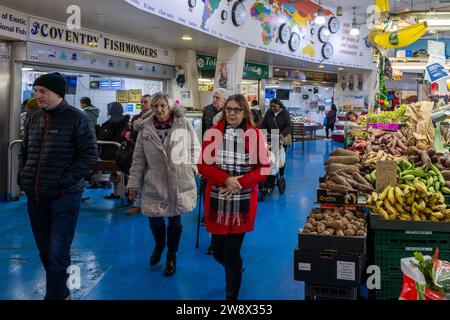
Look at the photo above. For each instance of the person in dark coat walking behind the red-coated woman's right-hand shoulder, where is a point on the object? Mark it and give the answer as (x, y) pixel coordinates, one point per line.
(277, 118)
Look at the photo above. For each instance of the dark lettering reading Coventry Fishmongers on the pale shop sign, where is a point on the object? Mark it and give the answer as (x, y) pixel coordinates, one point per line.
(46, 30)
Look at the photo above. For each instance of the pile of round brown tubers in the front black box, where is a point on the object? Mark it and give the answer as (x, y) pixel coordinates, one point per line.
(337, 222)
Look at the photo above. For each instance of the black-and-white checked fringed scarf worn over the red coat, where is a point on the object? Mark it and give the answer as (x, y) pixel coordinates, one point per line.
(234, 159)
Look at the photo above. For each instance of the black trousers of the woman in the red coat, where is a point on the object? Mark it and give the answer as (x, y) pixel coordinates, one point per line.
(227, 251)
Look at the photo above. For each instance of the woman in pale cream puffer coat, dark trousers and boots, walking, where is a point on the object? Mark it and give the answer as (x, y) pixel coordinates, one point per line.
(169, 184)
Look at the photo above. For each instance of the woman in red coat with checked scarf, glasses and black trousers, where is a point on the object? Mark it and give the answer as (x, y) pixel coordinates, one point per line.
(234, 160)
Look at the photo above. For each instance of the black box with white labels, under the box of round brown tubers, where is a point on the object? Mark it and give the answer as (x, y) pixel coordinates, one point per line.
(329, 268)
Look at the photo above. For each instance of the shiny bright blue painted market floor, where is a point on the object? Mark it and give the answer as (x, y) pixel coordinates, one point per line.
(112, 250)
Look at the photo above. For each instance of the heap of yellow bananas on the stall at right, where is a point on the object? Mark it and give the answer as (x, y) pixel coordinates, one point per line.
(409, 202)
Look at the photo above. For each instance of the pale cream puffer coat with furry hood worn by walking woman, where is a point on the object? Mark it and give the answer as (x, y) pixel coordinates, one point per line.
(168, 167)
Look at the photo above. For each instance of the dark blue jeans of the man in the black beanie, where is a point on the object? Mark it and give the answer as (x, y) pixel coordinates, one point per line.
(53, 222)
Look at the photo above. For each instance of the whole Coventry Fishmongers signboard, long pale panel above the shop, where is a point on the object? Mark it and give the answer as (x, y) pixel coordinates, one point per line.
(59, 34)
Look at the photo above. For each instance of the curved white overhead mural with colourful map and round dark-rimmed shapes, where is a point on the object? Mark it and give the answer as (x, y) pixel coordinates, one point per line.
(284, 27)
